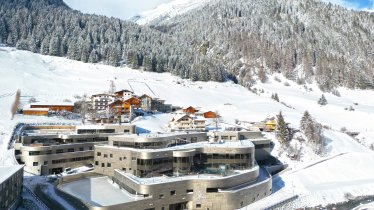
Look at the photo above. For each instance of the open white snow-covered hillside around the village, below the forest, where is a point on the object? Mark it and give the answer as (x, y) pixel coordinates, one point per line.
(347, 166)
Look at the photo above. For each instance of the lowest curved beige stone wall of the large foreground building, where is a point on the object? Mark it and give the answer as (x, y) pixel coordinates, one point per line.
(194, 195)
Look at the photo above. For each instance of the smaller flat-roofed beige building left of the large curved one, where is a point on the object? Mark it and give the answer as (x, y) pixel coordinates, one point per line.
(51, 149)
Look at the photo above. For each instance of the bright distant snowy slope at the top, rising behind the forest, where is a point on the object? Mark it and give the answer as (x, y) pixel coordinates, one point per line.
(167, 10)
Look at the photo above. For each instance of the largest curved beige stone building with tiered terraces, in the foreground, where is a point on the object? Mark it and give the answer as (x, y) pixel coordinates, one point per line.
(186, 170)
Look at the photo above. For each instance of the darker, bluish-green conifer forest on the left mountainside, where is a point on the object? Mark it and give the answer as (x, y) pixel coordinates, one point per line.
(50, 27)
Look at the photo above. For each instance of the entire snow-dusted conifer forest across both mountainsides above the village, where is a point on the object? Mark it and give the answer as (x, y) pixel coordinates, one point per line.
(226, 39)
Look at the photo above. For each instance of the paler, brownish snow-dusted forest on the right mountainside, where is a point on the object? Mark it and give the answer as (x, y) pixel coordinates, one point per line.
(305, 40)
